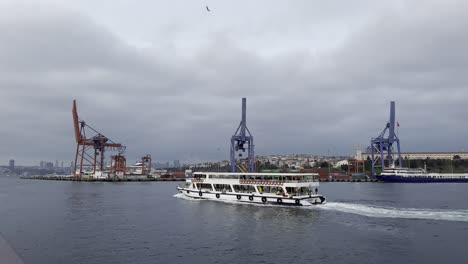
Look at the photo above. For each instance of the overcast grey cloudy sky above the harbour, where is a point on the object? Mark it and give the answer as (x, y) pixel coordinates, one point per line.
(167, 77)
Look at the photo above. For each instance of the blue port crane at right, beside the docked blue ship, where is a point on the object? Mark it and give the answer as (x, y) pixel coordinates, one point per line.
(381, 147)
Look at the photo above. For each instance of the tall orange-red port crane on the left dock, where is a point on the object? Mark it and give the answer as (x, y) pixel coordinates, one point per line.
(90, 150)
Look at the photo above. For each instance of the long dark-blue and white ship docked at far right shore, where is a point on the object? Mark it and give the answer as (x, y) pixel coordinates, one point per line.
(419, 175)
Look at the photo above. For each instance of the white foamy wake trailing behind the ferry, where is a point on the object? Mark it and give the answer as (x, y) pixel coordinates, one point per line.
(392, 212)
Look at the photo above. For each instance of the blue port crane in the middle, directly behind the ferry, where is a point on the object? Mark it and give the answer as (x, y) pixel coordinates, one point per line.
(241, 137)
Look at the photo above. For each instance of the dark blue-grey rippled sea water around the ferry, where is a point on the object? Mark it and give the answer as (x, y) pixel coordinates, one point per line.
(70, 222)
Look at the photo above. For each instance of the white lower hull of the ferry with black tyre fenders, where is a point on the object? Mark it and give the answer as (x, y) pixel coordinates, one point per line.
(255, 198)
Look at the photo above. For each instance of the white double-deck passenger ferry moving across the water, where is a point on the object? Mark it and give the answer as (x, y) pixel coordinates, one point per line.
(264, 188)
